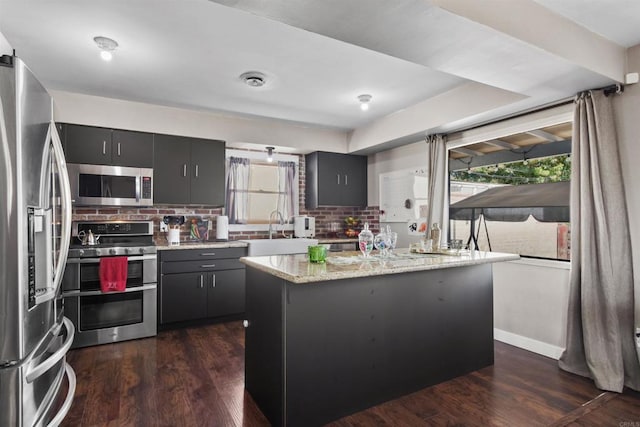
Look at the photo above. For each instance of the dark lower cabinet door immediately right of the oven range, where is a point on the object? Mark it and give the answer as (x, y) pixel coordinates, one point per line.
(182, 297)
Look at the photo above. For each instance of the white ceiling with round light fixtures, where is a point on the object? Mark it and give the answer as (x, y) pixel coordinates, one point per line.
(320, 55)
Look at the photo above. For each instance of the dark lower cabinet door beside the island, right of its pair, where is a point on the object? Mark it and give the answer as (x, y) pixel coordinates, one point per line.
(226, 292)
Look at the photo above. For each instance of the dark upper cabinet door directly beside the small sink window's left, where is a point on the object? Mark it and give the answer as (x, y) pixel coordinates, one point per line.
(207, 172)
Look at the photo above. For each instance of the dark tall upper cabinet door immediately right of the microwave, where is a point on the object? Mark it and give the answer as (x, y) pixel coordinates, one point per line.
(171, 170)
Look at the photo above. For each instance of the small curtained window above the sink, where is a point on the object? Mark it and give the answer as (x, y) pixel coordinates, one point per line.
(256, 188)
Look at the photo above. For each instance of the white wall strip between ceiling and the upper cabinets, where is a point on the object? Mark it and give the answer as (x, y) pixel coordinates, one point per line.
(237, 131)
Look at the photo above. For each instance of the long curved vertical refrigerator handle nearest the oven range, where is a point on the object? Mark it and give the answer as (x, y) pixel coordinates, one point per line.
(65, 189)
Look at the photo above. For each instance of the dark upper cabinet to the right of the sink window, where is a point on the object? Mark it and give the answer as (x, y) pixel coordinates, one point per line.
(334, 179)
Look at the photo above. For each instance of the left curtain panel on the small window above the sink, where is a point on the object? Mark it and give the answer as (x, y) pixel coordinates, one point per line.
(237, 196)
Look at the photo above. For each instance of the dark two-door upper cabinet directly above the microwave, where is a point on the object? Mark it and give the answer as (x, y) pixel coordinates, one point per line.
(102, 146)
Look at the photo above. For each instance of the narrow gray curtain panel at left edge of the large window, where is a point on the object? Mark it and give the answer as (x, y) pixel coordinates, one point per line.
(437, 174)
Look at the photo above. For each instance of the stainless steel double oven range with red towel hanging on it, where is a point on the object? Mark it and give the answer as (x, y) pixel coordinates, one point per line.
(99, 317)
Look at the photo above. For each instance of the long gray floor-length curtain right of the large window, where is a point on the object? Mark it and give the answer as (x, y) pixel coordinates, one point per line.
(600, 329)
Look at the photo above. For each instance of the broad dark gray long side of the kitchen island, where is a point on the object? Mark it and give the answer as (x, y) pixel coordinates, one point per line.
(354, 343)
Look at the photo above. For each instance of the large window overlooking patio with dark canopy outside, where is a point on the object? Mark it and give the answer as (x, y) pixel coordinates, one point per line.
(524, 220)
